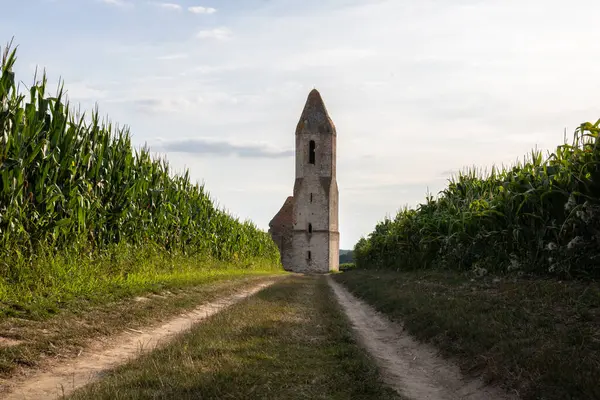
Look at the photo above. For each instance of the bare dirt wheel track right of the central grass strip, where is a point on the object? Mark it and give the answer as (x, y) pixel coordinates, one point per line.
(412, 368)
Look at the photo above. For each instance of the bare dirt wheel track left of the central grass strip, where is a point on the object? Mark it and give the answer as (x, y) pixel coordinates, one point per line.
(64, 378)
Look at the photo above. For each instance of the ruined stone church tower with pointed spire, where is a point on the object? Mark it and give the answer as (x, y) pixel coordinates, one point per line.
(306, 227)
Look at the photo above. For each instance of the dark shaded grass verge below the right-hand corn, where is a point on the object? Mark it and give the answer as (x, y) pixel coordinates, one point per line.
(538, 337)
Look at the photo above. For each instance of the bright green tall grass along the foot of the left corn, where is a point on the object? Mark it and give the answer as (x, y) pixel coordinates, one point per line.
(56, 283)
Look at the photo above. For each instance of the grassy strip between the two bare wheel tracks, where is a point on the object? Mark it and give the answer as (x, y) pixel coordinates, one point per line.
(290, 341)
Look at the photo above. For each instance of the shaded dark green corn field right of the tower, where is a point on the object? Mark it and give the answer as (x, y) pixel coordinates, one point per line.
(540, 217)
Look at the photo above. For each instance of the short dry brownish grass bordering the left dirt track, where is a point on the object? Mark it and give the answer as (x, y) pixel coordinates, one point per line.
(66, 333)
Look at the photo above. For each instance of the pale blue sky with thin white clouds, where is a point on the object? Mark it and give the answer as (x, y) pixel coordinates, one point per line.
(417, 89)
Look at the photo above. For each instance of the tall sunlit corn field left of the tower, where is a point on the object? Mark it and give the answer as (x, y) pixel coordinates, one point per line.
(71, 184)
